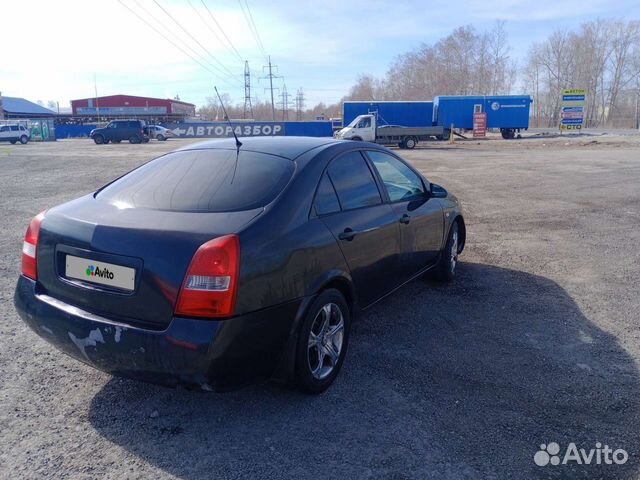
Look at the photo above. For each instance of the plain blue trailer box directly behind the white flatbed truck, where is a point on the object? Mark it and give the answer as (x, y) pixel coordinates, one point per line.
(406, 114)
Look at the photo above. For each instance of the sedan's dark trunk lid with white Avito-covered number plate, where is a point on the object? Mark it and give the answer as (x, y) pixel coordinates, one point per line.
(126, 264)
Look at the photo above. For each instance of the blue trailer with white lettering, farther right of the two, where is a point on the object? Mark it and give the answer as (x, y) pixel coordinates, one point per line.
(509, 113)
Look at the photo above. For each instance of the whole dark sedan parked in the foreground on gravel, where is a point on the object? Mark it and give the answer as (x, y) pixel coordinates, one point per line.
(215, 266)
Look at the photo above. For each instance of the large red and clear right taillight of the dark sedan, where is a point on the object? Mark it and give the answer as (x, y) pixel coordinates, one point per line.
(211, 284)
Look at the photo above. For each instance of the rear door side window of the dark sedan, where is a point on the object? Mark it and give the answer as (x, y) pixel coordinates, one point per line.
(353, 181)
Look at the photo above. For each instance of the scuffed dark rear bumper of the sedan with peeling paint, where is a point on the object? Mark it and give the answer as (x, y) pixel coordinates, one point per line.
(205, 354)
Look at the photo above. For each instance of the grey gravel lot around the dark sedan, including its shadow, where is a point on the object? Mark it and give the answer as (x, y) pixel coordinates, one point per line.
(536, 341)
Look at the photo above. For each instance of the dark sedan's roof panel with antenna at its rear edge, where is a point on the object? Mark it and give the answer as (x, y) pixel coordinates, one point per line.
(287, 147)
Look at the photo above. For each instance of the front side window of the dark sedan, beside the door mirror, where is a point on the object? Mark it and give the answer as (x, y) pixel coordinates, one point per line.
(400, 182)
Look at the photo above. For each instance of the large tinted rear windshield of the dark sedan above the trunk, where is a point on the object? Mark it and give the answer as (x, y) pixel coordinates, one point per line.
(202, 180)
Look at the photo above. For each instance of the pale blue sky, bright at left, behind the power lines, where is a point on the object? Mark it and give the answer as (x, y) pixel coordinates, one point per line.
(56, 47)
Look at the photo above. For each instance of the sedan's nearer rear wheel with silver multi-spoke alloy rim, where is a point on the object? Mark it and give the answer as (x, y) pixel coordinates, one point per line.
(325, 329)
